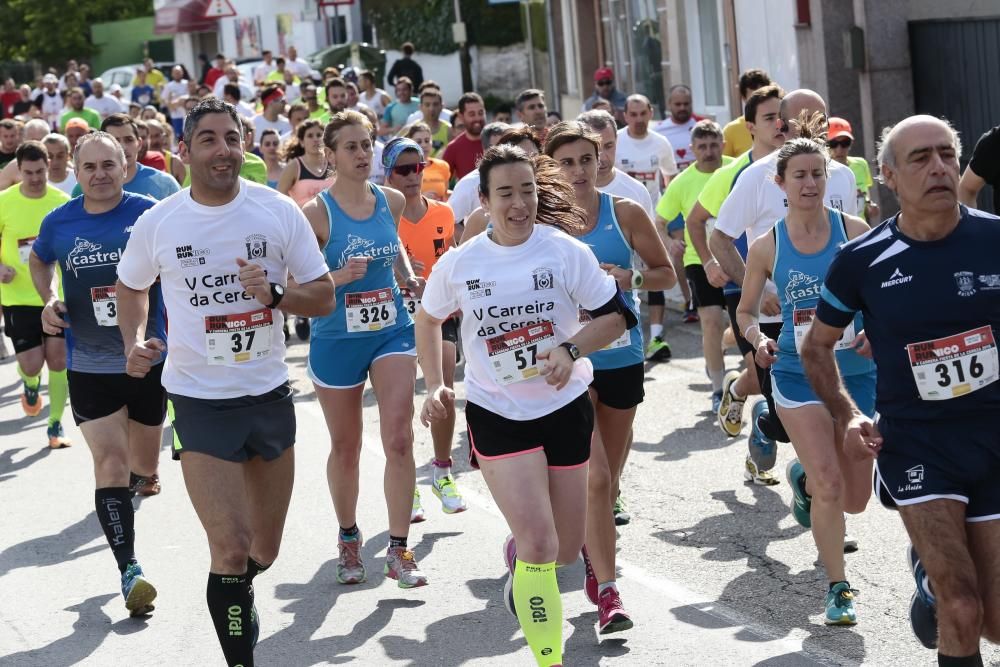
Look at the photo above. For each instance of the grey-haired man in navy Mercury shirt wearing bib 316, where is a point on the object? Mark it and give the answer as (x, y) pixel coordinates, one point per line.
(928, 284)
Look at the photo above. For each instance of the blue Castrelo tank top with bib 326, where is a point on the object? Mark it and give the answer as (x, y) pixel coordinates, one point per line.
(371, 304)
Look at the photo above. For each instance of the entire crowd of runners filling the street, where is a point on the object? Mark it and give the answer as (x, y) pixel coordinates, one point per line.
(150, 255)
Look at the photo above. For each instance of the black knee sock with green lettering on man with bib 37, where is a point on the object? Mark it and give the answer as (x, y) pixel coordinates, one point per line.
(230, 601)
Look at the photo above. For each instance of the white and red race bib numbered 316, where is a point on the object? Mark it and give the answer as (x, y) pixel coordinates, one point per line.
(953, 366)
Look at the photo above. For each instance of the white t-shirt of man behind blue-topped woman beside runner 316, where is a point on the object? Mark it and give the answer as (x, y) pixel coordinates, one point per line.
(756, 203)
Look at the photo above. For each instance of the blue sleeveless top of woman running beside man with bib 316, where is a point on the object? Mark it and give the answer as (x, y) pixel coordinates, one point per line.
(799, 278)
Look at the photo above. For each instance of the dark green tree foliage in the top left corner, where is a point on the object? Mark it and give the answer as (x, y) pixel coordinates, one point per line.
(53, 31)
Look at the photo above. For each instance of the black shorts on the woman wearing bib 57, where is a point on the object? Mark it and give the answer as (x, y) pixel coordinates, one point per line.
(564, 435)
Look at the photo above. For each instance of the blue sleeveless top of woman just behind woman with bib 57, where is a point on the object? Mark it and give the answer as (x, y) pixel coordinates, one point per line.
(608, 243)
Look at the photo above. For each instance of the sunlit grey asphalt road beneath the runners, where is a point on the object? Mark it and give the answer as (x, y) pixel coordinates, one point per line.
(713, 571)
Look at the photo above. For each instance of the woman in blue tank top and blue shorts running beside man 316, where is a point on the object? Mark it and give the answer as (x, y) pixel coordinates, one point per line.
(825, 482)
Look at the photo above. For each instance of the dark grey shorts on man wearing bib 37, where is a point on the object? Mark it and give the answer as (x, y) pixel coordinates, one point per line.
(235, 429)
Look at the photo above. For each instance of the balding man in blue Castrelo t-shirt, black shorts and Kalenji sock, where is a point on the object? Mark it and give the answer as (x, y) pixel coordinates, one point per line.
(117, 414)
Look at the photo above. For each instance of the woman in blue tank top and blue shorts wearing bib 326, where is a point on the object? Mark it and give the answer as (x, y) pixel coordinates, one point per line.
(369, 334)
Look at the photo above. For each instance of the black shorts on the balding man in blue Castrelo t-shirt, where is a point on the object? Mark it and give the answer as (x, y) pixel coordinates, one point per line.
(96, 395)
